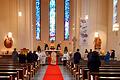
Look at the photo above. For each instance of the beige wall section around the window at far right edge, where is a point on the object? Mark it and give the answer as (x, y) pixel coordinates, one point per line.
(113, 37)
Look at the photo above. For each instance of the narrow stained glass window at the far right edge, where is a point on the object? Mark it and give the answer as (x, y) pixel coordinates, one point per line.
(115, 15)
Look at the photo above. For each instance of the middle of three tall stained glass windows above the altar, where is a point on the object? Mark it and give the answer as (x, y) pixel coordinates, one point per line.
(52, 16)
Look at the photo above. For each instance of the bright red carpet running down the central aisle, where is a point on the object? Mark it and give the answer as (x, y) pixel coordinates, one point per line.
(53, 73)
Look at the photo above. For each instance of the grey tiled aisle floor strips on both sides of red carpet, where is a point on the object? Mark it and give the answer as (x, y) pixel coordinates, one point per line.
(66, 74)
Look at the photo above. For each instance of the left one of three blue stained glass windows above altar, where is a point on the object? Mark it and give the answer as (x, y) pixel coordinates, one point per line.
(37, 19)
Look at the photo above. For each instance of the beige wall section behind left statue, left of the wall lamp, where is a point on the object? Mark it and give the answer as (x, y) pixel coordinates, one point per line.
(8, 21)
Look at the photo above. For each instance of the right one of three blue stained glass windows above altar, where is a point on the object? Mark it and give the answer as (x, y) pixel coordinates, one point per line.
(66, 19)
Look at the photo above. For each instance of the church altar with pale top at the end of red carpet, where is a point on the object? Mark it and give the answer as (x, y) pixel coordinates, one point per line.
(53, 56)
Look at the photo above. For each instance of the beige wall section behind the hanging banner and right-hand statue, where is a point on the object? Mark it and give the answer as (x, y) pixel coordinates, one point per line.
(97, 11)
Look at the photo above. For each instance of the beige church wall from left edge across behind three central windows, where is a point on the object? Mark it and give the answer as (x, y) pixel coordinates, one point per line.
(24, 30)
